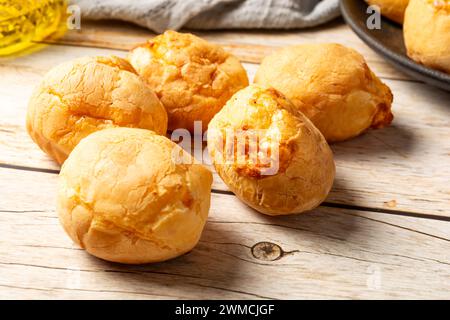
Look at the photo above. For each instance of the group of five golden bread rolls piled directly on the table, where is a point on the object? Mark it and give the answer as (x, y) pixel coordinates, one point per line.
(124, 198)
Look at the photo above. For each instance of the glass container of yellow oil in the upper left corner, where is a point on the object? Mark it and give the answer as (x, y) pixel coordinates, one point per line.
(24, 22)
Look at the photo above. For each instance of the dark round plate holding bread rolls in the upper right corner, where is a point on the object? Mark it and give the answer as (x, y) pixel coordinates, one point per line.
(388, 41)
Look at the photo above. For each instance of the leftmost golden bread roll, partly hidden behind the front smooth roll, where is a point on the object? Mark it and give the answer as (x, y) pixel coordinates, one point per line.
(89, 94)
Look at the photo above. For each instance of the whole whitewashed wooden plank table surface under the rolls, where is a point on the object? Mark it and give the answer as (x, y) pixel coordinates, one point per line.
(384, 231)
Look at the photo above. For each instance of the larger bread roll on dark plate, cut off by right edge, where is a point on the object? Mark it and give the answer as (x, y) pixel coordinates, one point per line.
(427, 33)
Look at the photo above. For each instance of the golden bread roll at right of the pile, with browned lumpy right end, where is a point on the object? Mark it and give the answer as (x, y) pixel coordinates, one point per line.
(332, 85)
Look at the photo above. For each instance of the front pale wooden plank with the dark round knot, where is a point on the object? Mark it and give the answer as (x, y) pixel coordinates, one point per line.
(329, 253)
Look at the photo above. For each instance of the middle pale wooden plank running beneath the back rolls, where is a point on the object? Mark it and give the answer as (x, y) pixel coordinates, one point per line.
(399, 168)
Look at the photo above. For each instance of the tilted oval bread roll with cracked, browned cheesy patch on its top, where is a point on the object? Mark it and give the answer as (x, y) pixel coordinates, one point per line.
(269, 154)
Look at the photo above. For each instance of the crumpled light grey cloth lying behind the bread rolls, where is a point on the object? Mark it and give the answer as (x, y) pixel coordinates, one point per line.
(160, 15)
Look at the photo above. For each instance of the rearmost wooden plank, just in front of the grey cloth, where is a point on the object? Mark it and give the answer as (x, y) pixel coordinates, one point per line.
(249, 46)
